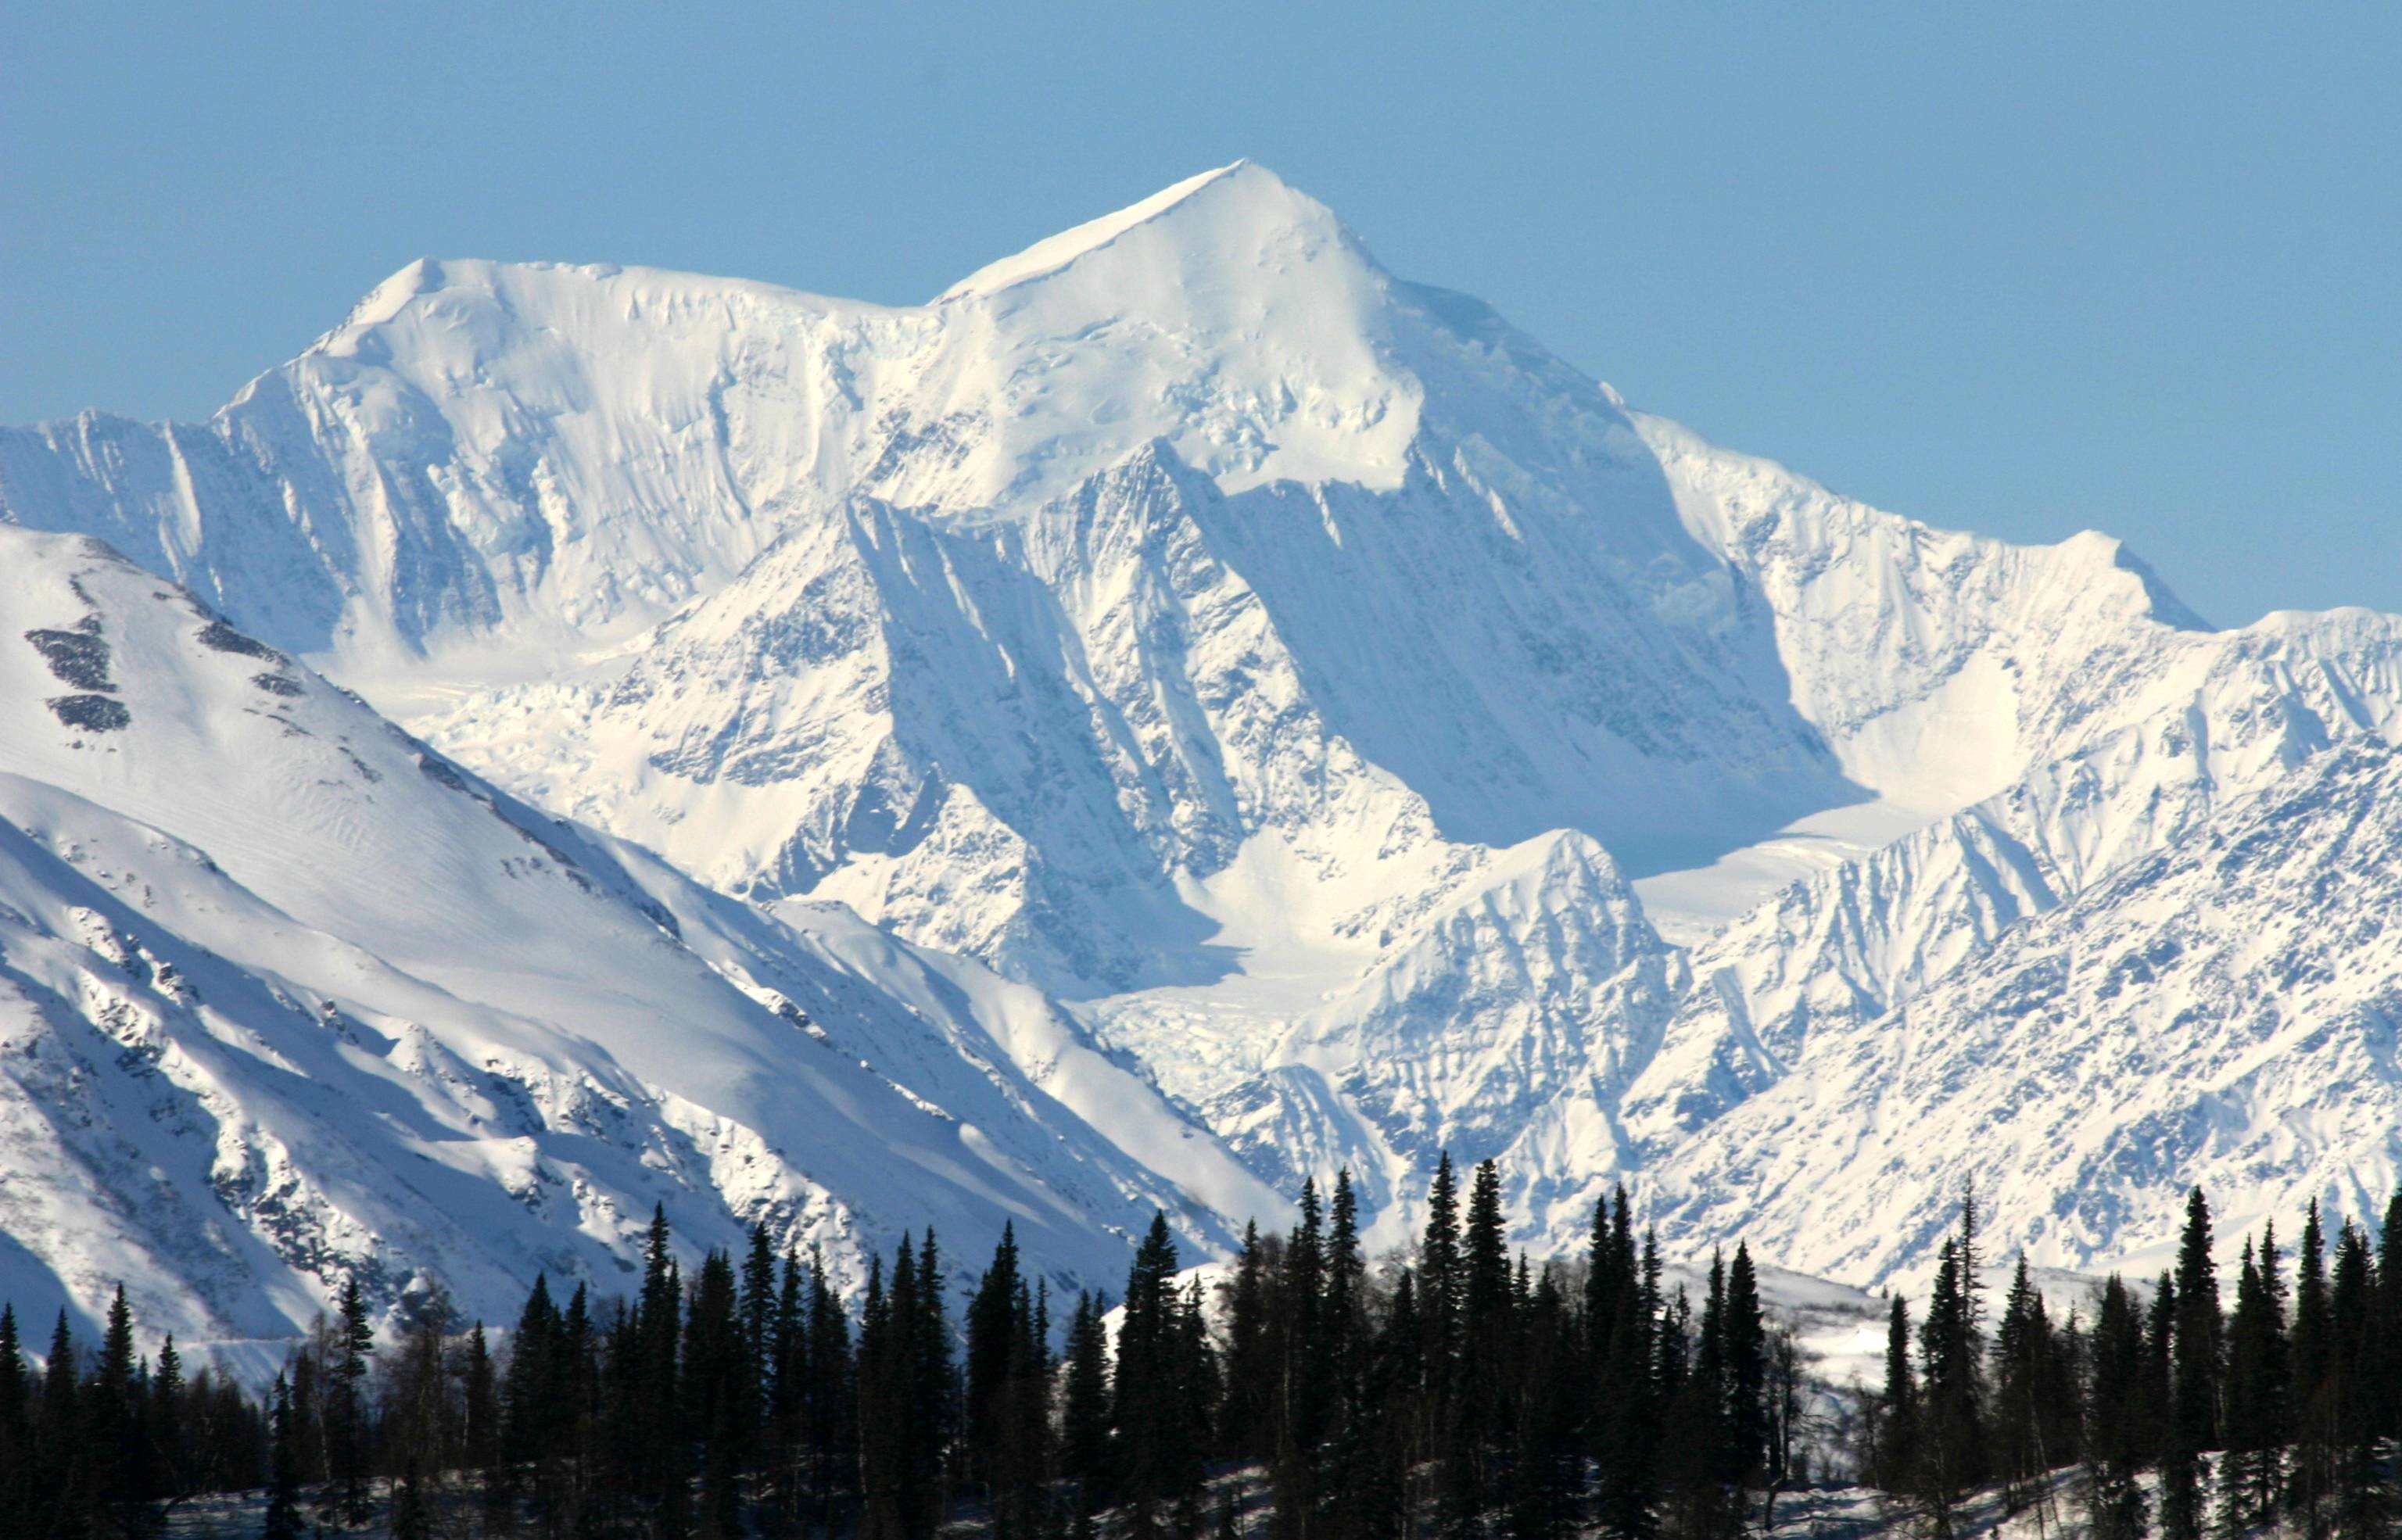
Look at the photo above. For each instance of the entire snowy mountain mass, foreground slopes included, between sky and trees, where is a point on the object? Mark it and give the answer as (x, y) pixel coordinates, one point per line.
(1178, 712)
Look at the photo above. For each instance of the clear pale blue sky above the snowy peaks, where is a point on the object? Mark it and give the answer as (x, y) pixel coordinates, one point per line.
(2016, 268)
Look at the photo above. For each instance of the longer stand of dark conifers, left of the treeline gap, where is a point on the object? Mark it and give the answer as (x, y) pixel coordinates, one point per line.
(1466, 1390)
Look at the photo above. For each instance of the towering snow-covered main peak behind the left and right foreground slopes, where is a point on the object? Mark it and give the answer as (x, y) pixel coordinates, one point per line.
(1289, 688)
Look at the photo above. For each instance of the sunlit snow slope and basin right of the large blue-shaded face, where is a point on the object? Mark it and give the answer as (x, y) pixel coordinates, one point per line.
(1940, 667)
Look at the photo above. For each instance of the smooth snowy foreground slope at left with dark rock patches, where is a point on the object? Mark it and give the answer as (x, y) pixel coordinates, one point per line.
(287, 996)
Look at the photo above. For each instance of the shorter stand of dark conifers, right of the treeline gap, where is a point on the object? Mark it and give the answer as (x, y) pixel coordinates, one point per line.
(2278, 1409)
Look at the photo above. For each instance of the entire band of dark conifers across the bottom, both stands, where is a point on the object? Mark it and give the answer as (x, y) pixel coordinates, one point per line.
(1303, 1390)
